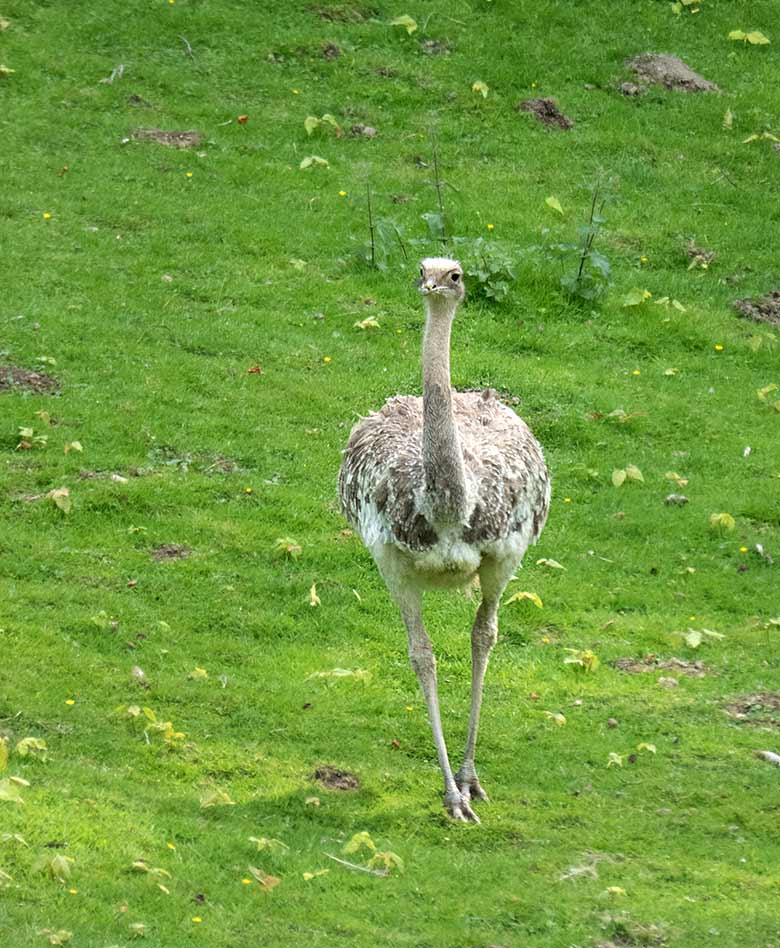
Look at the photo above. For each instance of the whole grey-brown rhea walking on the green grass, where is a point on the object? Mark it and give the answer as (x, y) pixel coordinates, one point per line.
(443, 489)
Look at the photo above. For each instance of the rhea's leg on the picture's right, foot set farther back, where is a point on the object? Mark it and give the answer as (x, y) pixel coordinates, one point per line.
(493, 577)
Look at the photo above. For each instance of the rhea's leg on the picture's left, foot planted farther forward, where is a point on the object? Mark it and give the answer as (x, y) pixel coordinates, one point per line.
(424, 664)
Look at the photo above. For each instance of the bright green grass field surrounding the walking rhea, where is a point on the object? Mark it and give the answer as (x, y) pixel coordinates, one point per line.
(154, 384)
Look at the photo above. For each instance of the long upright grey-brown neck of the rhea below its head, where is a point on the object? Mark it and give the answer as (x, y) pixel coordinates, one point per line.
(445, 474)
